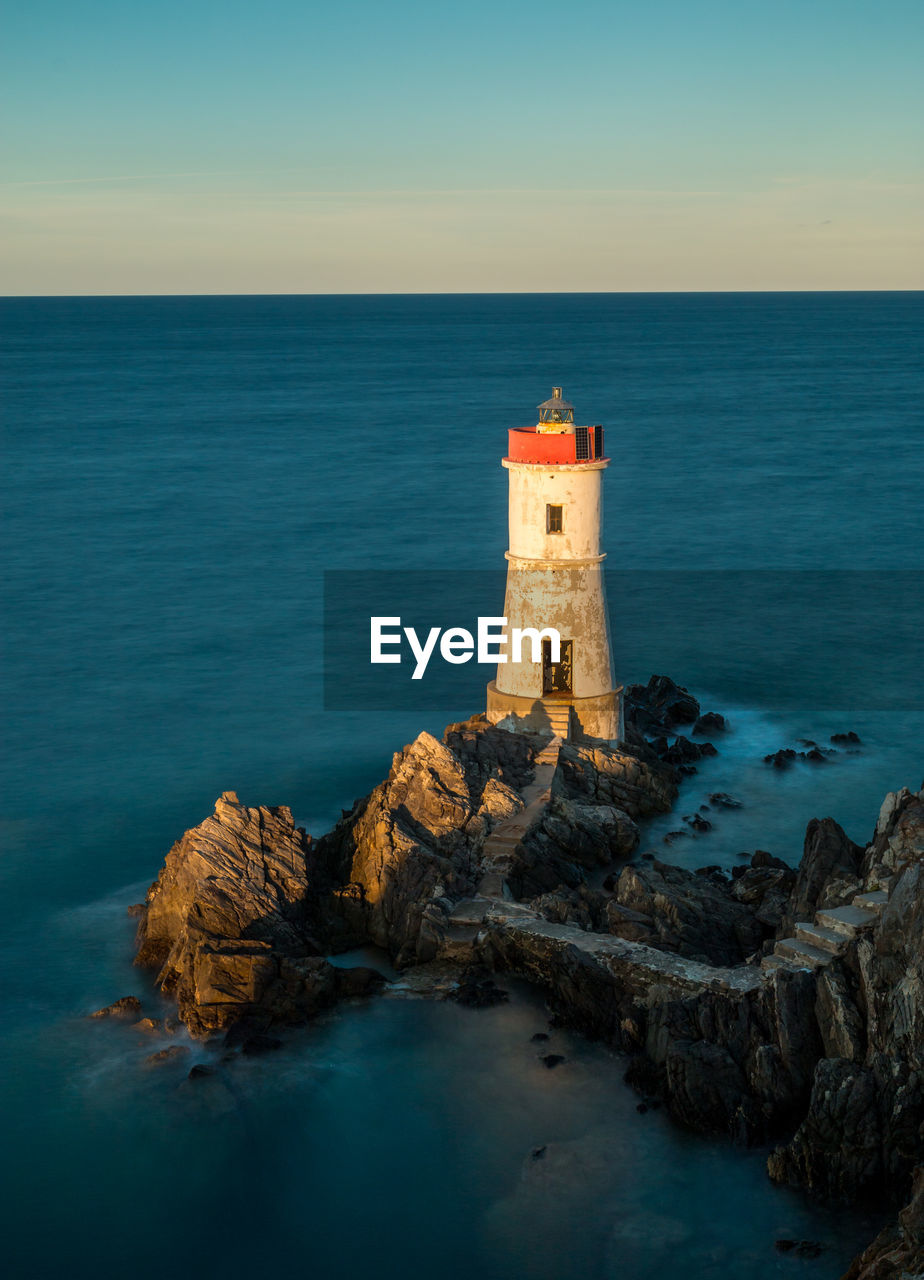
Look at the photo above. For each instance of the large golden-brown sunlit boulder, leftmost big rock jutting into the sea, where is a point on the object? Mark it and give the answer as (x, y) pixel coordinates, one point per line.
(228, 924)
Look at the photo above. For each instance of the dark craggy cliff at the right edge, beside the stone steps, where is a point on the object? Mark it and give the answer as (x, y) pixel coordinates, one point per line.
(864, 1128)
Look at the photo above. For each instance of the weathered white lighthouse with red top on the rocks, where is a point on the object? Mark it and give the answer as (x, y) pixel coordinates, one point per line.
(555, 579)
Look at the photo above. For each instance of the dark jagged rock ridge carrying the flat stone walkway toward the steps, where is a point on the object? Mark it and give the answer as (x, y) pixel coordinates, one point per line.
(728, 1049)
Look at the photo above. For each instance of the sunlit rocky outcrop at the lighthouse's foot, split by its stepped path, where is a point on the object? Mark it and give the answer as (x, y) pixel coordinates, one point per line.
(413, 849)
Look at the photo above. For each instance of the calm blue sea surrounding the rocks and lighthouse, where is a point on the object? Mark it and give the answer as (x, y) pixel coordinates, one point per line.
(180, 474)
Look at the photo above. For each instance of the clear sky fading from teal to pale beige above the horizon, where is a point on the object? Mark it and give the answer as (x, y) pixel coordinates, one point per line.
(414, 147)
